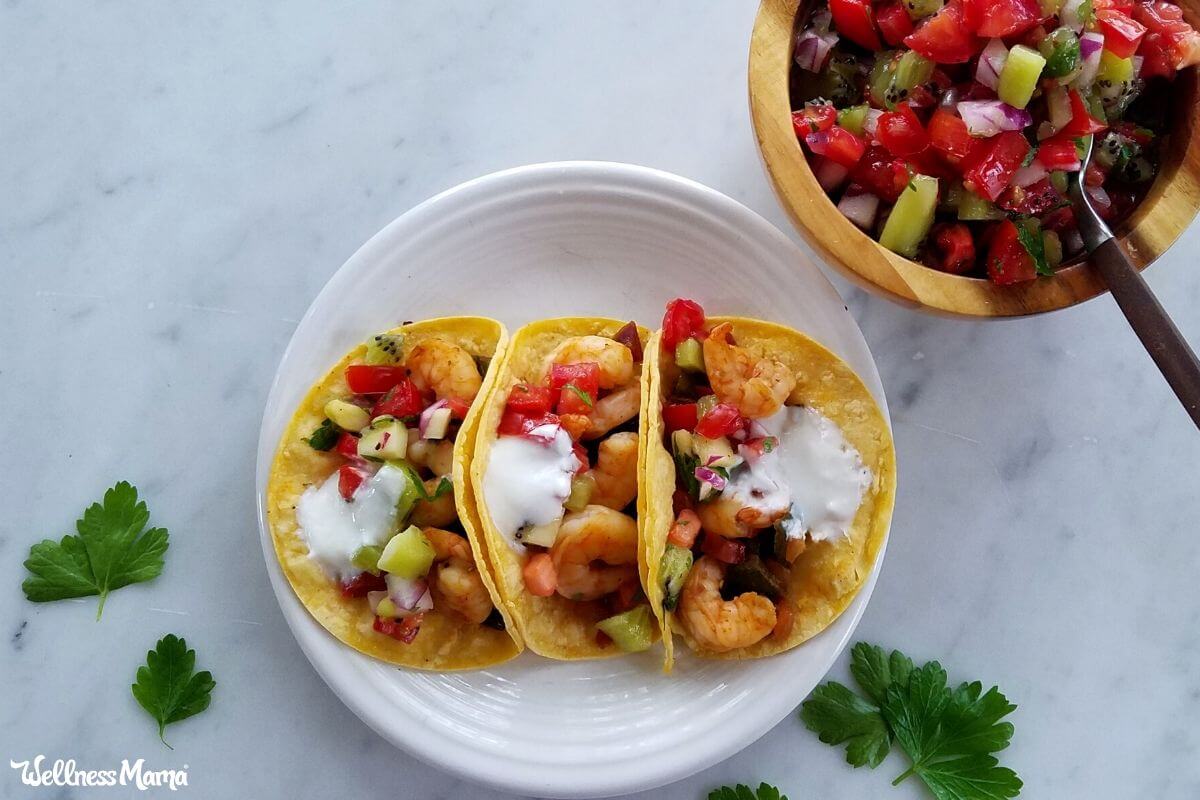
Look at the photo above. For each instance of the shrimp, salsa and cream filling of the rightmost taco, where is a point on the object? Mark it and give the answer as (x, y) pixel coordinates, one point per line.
(761, 478)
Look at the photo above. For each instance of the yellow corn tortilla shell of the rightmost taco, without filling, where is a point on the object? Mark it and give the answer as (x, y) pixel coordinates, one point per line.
(827, 576)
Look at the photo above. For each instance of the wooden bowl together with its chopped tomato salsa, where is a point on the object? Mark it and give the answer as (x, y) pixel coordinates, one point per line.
(946, 133)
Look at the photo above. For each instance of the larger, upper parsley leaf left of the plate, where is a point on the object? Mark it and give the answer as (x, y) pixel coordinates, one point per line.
(112, 550)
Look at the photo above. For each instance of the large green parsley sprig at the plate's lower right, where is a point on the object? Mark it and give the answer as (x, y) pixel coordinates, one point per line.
(949, 735)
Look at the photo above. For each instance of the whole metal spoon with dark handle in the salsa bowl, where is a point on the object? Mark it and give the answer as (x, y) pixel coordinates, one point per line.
(1148, 318)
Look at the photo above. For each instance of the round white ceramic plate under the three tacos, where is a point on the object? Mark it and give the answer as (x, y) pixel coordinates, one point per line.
(554, 240)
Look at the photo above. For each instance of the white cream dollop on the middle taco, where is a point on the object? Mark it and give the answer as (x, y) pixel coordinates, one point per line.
(529, 479)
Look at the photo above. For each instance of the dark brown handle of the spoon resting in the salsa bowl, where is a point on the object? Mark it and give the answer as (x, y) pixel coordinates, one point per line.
(1153, 326)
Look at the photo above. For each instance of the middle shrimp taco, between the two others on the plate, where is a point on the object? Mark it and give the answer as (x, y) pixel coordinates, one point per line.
(556, 473)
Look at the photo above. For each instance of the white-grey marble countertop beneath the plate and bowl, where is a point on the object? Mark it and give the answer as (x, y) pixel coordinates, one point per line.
(181, 181)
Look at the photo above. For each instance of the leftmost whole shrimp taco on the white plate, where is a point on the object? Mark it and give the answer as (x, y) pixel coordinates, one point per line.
(368, 500)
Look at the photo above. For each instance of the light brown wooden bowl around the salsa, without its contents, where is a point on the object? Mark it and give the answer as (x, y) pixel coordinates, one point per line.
(1167, 210)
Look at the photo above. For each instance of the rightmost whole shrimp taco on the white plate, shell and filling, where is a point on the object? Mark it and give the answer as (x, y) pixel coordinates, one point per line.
(770, 484)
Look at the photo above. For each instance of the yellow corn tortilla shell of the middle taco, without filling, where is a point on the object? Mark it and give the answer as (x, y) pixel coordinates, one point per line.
(553, 627)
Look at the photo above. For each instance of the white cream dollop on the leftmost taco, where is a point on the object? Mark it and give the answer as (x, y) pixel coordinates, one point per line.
(335, 528)
